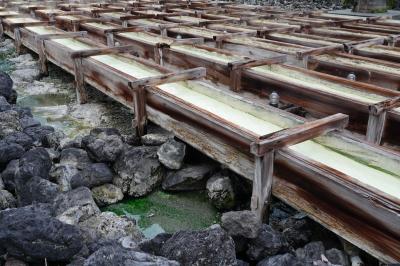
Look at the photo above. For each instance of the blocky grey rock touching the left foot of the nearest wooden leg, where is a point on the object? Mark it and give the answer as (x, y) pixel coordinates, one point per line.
(241, 223)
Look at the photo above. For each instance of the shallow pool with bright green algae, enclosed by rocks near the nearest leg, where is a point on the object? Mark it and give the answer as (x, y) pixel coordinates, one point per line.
(171, 212)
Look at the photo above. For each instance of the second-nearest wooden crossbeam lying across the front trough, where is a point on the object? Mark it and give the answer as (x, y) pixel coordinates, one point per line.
(194, 73)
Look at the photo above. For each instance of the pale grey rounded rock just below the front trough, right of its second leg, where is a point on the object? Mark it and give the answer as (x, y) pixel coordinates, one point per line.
(171, 154)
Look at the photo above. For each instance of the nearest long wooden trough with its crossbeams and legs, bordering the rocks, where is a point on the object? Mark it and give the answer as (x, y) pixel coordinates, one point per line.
(344, 183)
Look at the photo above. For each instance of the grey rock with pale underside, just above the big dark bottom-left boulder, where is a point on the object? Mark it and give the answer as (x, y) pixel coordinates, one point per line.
(75, 206)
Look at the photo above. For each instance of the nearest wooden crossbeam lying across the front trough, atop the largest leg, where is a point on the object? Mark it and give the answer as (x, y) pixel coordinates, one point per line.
(297, 134)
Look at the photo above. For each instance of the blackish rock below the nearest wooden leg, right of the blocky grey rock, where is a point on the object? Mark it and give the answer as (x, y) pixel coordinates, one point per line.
(267, 243)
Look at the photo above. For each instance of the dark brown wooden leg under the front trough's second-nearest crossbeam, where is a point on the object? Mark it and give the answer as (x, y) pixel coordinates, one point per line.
(140, 122)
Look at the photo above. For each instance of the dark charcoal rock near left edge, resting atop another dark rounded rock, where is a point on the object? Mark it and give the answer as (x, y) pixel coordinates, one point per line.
(35, 162)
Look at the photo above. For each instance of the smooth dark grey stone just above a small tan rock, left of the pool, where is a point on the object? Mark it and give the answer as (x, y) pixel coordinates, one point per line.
(93, 175)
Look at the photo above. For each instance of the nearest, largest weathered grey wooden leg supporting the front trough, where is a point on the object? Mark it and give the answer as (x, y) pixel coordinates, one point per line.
(262, 184)
